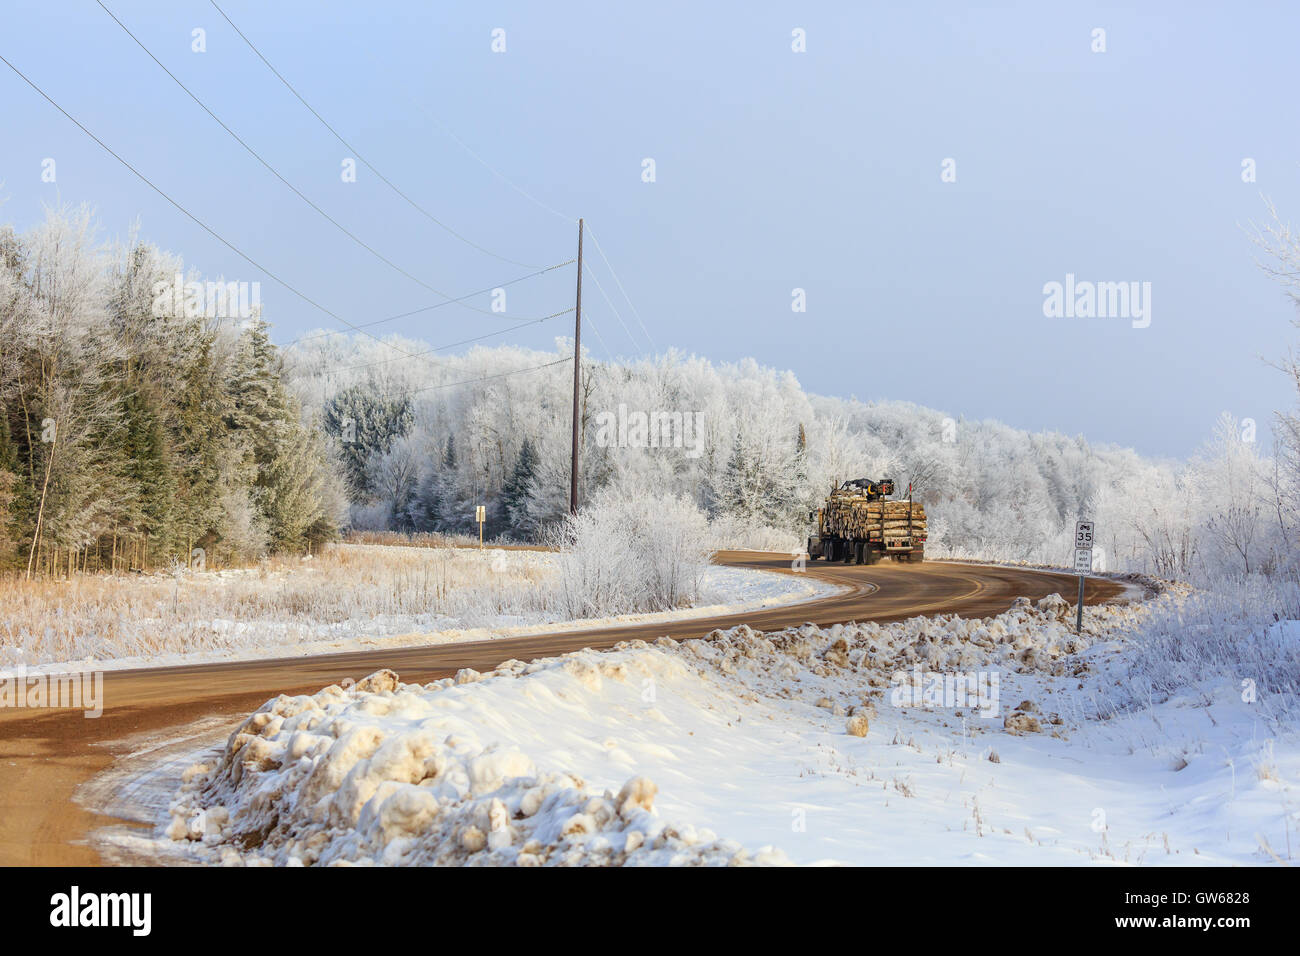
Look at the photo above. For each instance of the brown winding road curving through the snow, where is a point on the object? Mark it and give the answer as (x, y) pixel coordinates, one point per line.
(46, 756)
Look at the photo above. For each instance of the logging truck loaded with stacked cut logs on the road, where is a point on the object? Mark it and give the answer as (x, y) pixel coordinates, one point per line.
(860, 525)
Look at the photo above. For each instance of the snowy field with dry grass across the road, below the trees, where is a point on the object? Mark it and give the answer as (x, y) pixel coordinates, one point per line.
(356, 598)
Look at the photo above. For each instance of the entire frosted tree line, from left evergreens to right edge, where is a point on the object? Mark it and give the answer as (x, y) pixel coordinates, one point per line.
(135, 436)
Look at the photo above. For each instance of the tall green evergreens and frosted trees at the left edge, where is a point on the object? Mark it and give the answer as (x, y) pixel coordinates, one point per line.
(136, 436)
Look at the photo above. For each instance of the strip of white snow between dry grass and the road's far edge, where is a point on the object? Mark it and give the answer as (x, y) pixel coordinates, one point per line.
(726, 591)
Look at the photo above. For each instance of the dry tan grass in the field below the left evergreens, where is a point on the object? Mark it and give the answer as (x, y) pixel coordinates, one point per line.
(343, 592)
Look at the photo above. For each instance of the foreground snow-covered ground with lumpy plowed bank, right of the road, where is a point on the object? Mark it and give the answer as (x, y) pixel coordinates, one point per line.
(801, 747)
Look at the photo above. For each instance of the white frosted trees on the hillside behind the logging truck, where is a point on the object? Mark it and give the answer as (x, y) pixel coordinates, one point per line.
(428, 451)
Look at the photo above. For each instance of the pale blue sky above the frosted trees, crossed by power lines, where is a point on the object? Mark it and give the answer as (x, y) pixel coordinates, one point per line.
(774, 171)
